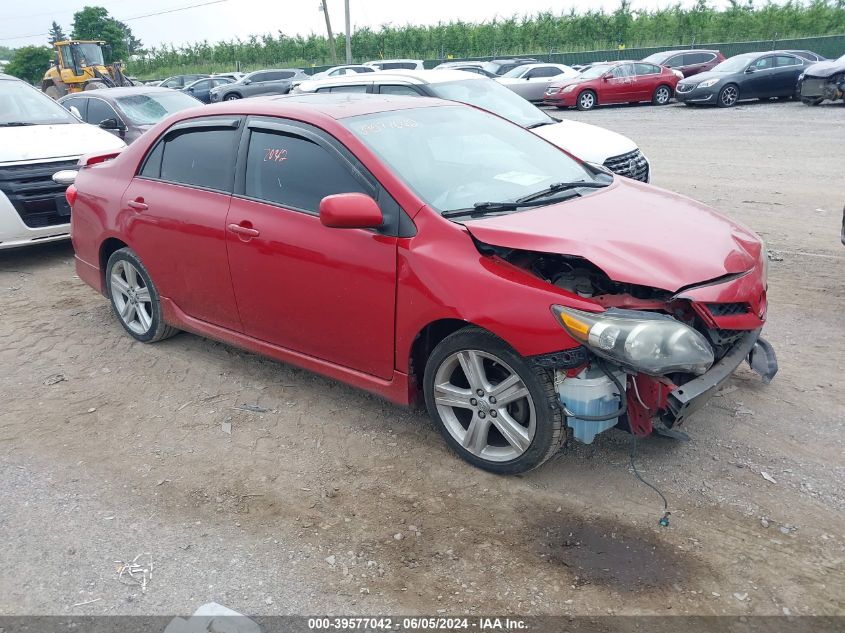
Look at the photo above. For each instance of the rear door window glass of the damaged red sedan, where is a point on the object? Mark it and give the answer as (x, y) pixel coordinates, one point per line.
(199, 157)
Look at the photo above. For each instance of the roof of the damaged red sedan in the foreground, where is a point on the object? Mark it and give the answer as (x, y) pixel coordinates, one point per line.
(335, 106)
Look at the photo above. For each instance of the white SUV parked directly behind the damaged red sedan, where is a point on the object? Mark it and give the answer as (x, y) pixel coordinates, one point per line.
(588, 142)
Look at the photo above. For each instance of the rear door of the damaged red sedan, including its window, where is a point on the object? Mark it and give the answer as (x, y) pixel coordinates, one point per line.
(174, 213)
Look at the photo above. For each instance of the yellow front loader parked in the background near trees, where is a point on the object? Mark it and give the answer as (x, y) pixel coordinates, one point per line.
(79, 66)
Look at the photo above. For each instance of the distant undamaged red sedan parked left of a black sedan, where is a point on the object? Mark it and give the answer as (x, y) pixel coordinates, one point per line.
(619, 82)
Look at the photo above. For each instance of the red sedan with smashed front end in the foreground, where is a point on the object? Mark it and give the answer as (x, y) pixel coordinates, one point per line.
(513, 289)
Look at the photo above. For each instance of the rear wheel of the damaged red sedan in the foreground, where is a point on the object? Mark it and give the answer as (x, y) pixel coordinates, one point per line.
(134, 298)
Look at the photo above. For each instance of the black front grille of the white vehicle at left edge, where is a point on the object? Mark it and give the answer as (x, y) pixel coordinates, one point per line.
(38, 200)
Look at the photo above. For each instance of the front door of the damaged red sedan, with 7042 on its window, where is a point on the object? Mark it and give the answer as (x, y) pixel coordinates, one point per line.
(325, 292)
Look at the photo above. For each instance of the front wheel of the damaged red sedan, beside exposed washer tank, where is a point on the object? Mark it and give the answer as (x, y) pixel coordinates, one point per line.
(494, 409)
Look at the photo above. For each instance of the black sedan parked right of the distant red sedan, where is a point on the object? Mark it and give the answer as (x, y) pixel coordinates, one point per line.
(746, 76)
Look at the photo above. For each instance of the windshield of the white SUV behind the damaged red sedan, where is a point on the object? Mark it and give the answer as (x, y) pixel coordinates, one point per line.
(494, 97)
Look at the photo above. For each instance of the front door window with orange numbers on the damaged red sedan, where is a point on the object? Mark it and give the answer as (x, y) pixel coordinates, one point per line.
(281, 168)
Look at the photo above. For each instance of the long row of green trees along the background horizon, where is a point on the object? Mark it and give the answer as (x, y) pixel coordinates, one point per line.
(544, 32)
